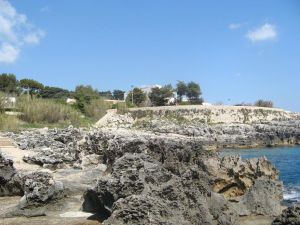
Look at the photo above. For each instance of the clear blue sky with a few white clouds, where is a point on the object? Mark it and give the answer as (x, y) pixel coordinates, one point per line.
(238, 51)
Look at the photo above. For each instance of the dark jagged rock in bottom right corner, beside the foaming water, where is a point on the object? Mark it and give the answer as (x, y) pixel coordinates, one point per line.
(289, 216)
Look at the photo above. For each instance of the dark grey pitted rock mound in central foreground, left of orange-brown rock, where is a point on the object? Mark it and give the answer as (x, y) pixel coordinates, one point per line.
(141, 191)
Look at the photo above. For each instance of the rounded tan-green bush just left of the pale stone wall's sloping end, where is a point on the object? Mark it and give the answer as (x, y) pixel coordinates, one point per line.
(97, 108)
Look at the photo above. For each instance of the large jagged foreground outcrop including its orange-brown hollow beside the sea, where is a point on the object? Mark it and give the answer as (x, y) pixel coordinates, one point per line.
(175, 177)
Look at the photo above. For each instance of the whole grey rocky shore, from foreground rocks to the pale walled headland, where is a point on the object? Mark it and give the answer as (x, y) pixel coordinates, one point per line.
(151, 168)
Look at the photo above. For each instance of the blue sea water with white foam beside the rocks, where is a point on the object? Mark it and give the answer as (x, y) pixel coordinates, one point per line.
(286, 159)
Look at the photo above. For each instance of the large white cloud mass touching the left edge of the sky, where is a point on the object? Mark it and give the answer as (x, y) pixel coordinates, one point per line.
(15, 32)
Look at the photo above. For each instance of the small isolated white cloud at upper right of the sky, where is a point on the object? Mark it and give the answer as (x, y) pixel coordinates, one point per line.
(263, 33)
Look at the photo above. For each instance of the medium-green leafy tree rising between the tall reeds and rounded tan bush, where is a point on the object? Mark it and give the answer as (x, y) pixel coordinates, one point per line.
(84, 95)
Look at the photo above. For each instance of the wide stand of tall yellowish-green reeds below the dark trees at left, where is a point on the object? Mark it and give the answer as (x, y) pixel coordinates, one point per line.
(47, 111)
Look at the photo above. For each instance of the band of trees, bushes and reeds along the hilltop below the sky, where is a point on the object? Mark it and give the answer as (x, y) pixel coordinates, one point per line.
(40, 105)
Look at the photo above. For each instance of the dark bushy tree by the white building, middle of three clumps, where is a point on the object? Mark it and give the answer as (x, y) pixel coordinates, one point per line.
(160, 96)
